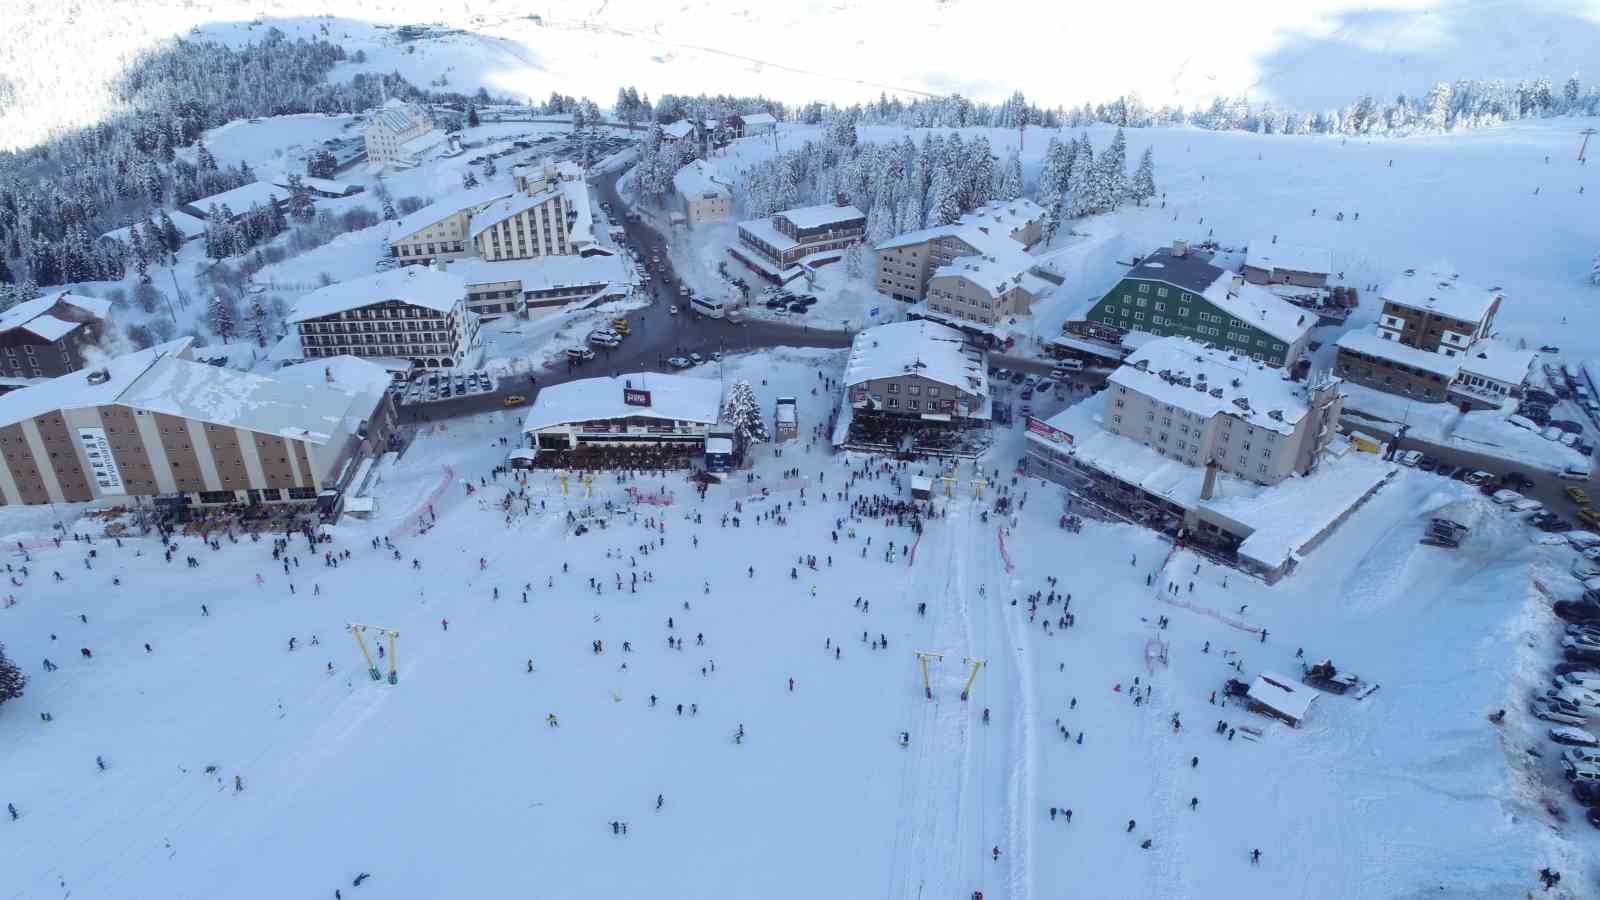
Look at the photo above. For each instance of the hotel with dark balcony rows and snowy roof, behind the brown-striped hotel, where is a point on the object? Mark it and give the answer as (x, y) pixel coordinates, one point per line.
(412, 313)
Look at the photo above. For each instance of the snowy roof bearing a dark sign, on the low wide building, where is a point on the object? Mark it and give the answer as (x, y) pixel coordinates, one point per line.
(681, 398)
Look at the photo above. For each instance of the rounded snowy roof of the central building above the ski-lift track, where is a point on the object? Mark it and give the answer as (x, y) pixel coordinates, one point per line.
(918, 348)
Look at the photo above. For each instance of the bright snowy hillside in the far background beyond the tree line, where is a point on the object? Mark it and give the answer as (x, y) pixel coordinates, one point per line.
(1311, 55)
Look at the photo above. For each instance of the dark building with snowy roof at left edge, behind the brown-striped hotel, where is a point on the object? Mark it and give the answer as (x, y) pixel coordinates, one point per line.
(49, 335)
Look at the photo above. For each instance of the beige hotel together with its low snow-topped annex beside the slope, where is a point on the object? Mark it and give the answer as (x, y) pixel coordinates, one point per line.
(1214, 449)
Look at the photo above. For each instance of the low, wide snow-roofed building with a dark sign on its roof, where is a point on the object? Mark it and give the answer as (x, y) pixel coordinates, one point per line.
(641, 411)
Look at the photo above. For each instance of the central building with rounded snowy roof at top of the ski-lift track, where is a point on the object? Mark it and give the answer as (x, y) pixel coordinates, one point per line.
(918, 371)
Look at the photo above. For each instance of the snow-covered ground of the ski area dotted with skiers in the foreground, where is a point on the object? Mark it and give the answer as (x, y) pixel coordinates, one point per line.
(454, 784)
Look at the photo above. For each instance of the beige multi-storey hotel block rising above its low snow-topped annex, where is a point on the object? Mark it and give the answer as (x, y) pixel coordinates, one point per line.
(1196, 404)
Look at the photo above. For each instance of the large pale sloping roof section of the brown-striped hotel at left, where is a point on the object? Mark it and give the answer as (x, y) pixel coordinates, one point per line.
(238, 400)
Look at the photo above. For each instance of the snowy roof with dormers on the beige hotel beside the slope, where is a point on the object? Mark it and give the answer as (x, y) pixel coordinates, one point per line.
(1206, 382)
